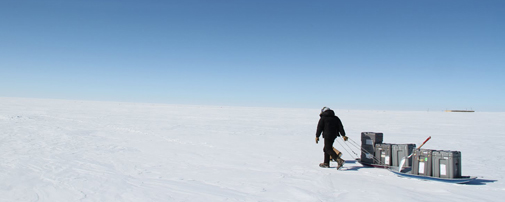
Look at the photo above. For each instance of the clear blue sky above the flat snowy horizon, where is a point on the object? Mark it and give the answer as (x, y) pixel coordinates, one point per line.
(381, 55)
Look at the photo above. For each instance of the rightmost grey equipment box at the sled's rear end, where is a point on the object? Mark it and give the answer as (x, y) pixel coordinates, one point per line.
(446, 164)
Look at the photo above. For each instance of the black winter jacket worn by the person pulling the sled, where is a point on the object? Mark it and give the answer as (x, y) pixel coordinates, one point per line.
(330, 125)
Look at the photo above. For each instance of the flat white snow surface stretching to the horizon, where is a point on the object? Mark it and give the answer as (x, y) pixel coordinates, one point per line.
(56, 150)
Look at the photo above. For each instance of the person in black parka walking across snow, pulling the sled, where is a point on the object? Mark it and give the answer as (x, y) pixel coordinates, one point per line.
(331, 127)
